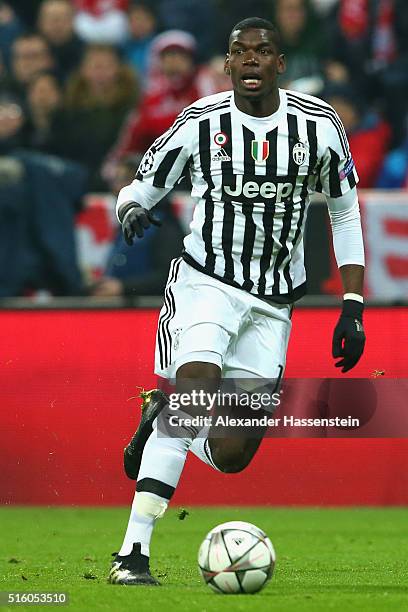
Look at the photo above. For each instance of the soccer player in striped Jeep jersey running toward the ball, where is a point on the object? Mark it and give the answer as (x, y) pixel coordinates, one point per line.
(254, 155)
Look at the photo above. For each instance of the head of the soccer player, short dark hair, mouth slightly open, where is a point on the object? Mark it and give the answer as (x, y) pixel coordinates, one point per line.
(254, 63)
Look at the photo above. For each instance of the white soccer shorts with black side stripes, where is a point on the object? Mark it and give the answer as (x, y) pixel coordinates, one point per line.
(203, 319)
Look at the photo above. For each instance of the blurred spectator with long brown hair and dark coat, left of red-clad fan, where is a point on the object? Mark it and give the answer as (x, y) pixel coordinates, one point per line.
(98, 98)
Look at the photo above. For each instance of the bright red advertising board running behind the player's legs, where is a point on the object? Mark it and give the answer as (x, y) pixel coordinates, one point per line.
(69, 386)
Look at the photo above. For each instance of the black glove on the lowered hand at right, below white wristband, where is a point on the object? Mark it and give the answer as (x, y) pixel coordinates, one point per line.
(349, 337)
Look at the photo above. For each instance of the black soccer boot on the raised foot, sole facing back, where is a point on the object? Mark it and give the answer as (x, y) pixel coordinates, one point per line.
(153, 403)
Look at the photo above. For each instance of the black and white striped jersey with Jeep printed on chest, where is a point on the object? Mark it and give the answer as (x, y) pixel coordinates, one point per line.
(251, 180)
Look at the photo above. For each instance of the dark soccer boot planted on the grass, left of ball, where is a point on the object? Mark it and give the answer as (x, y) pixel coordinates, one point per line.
(132, 569)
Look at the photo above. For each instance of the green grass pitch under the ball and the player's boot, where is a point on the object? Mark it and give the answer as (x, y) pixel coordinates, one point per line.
(327, 559)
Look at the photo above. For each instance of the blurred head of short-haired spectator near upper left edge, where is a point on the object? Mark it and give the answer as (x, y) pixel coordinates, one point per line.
(30, 55)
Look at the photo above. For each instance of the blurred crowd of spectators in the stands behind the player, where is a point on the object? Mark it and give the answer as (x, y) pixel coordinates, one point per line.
(87, 85)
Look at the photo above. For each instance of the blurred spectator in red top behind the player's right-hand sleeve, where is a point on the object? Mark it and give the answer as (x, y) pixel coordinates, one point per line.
(368, 134)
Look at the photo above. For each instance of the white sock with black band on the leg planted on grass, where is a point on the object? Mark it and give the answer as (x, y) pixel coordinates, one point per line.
(162, 461)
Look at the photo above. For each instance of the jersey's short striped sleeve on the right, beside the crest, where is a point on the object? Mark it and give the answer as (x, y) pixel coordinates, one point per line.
(336, 172)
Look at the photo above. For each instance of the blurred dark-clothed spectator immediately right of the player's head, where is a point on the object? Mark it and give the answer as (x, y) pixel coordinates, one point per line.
(303, 43)
